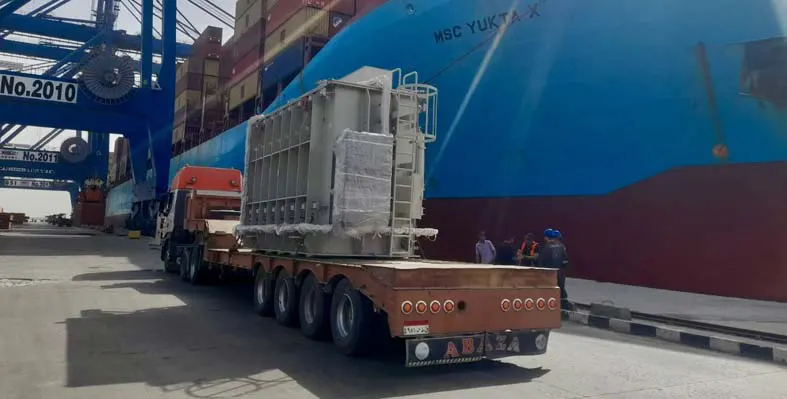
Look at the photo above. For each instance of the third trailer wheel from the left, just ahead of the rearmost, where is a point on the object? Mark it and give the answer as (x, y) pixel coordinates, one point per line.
(315, 309)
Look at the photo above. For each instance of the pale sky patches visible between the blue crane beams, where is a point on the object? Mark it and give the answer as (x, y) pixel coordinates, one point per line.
(47, 202)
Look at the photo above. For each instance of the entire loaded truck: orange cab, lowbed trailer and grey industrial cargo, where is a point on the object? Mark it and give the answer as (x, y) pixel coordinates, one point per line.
(325, 224)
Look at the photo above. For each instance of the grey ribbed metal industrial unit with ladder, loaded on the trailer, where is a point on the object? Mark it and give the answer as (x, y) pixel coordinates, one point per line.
(323, 178)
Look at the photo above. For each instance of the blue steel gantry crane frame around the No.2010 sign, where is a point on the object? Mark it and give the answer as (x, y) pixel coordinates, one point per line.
(145, 118)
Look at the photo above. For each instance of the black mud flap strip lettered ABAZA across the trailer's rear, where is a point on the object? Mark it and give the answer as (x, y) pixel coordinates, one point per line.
(472, 348)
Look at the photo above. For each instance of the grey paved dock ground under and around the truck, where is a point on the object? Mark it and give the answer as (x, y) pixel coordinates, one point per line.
(86, 316)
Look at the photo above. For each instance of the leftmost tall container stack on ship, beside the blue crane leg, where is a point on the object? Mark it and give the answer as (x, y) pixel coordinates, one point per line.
(199, 99)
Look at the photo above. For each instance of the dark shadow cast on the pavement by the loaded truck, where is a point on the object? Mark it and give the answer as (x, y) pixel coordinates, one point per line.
(214, 346)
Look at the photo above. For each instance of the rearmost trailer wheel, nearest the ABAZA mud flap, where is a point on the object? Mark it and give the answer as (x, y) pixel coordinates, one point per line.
(351, 319)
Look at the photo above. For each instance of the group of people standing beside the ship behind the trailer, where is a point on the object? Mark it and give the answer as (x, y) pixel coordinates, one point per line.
(551, 254)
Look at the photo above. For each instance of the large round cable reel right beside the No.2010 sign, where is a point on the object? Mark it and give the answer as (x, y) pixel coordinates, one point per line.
(108, 79)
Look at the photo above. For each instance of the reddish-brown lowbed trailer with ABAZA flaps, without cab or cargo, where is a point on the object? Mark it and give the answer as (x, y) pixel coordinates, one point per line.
(447, 312)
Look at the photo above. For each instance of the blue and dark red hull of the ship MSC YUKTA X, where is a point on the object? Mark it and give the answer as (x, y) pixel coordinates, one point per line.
(652, 134)
